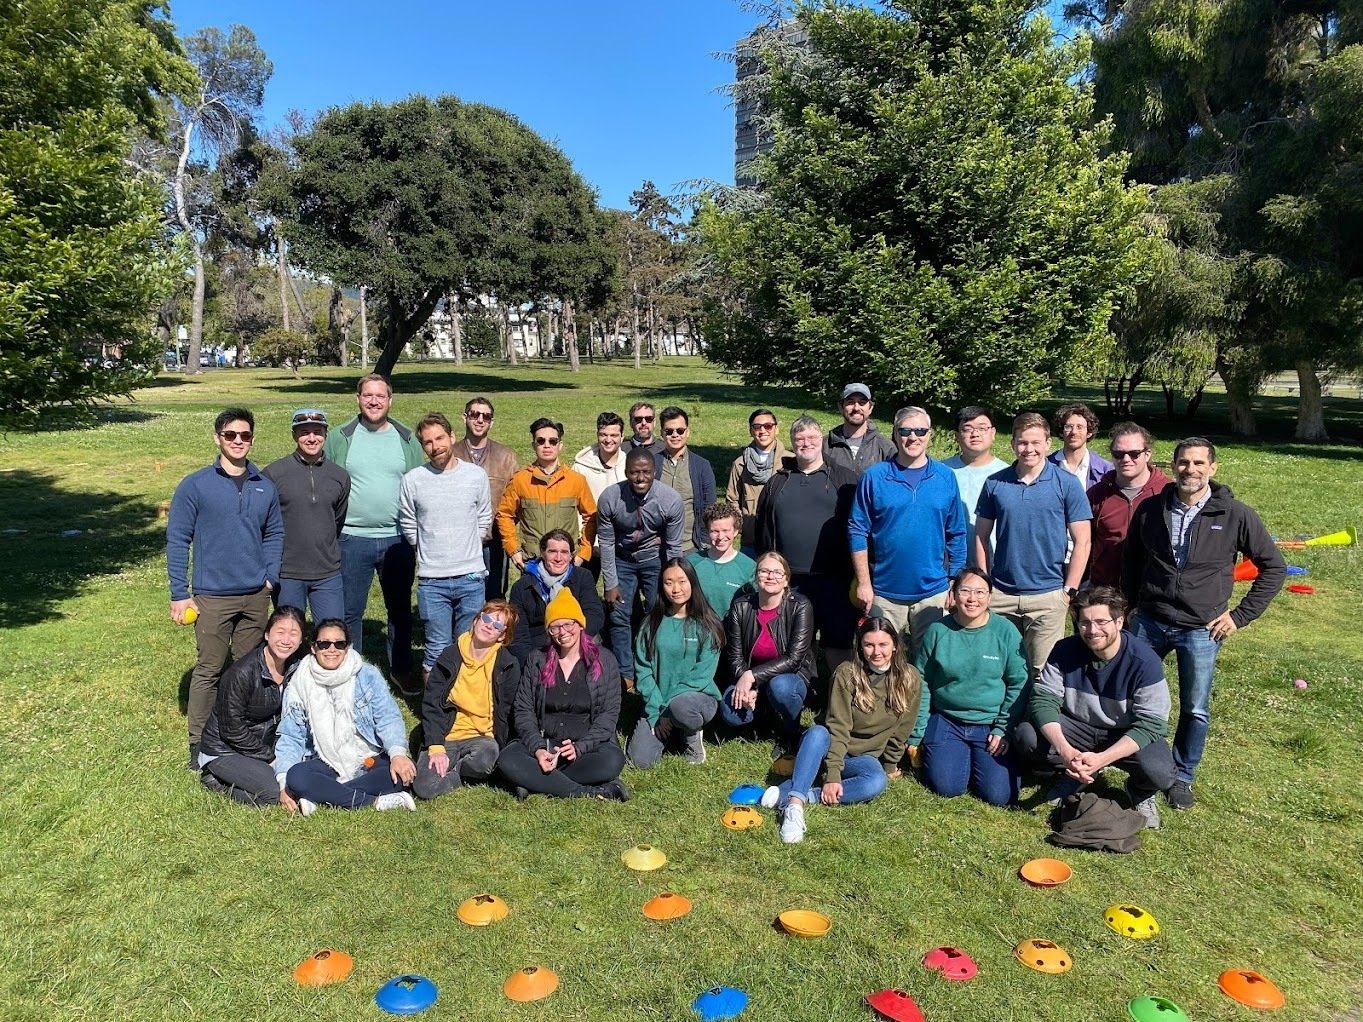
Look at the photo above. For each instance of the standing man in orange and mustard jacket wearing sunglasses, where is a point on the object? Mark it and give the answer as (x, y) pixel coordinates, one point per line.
(546, 495)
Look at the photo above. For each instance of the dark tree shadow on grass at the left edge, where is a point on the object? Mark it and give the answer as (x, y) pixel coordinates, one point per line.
(44, 568)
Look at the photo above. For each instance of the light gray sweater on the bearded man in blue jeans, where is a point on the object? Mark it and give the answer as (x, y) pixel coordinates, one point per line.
(445, 516)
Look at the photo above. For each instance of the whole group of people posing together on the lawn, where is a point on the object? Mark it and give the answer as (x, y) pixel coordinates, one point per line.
(936, 592)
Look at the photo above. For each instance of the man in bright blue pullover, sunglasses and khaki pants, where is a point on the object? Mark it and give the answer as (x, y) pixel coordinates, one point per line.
(908, 512)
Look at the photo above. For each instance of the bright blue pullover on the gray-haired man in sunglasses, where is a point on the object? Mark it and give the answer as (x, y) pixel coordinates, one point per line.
(918, 531)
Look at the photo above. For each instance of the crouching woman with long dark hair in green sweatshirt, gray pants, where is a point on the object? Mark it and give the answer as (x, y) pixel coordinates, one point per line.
(677, 656)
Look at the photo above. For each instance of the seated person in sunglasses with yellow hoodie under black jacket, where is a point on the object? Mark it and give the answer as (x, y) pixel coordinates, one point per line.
(467, 711)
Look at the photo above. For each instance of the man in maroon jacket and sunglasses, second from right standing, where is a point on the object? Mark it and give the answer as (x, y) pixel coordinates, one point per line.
(1117, 495)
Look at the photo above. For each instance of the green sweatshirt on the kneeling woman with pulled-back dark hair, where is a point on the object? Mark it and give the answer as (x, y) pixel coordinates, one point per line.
(973, 675)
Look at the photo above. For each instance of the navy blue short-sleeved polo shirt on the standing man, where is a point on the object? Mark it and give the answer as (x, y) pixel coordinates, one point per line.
(1031, 528)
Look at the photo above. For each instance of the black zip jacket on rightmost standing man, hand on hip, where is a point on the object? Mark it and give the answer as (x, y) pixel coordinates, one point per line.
(1200, 592)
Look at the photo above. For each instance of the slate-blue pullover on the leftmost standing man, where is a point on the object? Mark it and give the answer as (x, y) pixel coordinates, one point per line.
(236, 536)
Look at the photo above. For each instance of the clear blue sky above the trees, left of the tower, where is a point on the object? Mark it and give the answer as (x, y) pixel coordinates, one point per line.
(629, 89)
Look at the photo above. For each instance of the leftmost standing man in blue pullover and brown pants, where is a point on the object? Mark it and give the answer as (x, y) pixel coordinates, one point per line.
(226, 518)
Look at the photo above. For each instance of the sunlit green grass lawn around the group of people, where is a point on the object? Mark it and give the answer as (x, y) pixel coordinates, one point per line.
(134, 895)
